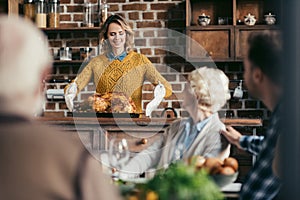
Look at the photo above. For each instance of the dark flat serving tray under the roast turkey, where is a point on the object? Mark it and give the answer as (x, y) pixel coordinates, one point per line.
(103, 115)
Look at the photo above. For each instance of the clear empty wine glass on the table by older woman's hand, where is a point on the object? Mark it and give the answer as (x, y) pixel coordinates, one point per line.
(118, 155)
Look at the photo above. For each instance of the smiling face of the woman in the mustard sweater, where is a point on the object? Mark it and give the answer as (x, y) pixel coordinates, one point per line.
(117, 37)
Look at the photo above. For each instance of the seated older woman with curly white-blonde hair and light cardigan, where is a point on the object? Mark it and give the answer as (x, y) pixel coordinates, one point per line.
(205, 92)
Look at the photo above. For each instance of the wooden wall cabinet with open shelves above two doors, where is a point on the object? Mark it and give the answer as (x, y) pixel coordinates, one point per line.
(224, 39)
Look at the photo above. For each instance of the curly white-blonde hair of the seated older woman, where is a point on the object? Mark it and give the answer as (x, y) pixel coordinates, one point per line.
(211, 88)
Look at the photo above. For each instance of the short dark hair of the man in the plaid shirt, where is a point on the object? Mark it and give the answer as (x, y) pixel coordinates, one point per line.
(265, 52)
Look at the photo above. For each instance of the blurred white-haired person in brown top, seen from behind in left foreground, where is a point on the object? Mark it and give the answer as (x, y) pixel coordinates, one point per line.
(37, 162)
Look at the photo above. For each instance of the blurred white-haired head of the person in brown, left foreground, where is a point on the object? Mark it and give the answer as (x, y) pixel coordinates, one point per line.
(24, 56)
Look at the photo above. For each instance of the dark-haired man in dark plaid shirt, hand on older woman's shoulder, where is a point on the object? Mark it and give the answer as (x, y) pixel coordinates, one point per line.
(263, 77)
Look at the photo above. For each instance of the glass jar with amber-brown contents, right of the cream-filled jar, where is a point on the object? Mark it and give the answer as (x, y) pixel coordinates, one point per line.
(53, 14)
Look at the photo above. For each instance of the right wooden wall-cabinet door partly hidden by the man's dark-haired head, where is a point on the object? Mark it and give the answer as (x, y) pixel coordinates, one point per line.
(241, 36)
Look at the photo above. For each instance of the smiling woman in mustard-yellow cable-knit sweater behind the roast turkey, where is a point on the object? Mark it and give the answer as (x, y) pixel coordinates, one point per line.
(119, 68)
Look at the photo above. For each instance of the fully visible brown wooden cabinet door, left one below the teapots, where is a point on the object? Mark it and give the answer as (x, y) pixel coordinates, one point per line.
(210, 44)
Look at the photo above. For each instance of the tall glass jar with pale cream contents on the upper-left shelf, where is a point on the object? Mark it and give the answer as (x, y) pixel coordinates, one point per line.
(40, 13)
